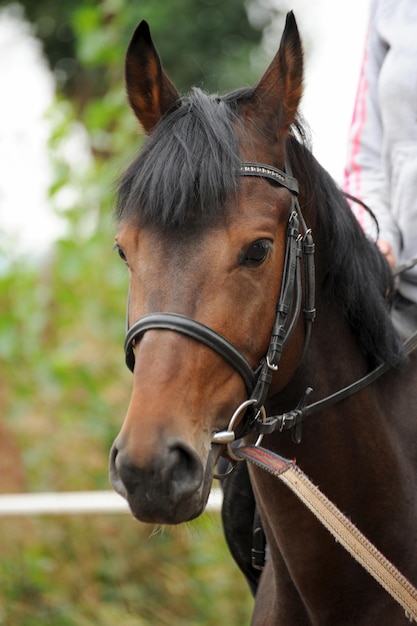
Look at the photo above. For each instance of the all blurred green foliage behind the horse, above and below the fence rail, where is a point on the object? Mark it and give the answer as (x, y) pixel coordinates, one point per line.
(64, 388)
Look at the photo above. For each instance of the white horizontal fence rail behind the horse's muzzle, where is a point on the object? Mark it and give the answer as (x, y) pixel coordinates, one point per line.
(75, 503)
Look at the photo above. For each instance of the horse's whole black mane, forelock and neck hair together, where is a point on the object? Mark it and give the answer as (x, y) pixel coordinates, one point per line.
(187, 170)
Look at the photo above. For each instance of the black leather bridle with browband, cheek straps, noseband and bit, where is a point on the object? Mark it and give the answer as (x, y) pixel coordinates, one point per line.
(299, 250)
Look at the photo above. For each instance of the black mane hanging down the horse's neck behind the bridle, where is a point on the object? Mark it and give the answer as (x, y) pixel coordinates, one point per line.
(352, 270)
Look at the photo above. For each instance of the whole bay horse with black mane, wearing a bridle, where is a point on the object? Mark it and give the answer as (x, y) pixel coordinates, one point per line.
(212, 228)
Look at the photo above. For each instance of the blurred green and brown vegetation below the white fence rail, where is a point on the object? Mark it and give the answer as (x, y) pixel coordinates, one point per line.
(95, 571)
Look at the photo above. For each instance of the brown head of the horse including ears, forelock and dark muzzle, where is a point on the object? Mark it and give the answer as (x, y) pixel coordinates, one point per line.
(205, 244)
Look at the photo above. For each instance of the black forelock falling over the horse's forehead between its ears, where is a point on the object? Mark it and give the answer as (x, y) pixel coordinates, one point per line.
(187, 168)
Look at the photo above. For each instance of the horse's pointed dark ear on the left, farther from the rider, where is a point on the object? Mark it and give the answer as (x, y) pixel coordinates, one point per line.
(150, 92)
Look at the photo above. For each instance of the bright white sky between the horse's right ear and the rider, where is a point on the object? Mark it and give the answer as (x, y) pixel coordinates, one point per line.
(336, 31)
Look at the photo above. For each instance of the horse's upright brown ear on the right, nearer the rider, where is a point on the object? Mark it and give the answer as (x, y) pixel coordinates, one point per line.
(279, 91)
